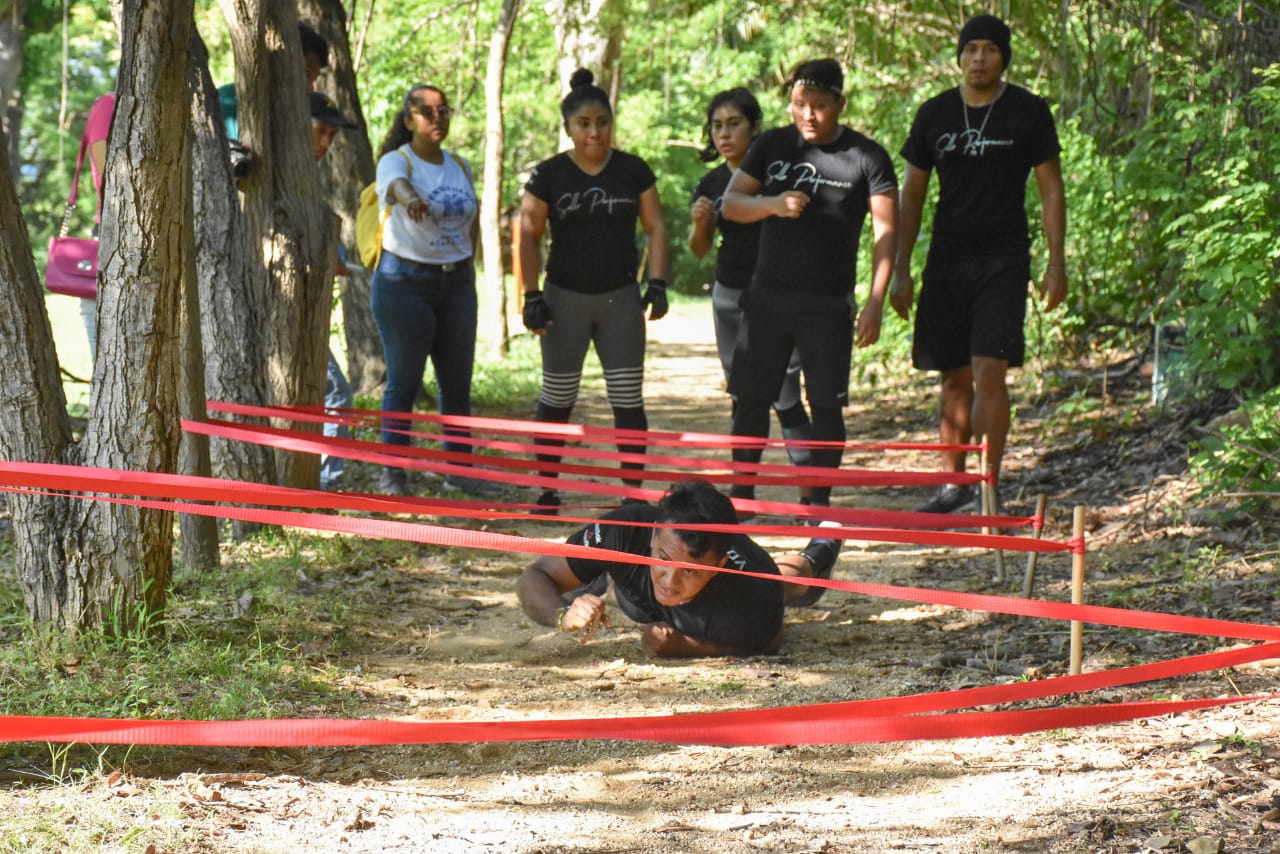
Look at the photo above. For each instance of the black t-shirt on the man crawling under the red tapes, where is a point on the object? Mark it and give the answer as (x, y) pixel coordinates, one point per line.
(740, 613)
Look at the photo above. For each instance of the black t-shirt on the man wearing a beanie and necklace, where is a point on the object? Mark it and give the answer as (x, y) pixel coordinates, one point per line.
(984, 157)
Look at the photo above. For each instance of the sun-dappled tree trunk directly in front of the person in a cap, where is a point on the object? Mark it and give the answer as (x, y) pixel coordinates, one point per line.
(285, 213)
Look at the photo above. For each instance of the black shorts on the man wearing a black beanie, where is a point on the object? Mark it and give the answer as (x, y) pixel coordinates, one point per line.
(971, 307)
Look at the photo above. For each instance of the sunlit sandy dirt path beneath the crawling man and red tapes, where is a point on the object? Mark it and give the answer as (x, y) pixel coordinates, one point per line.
(442, 640)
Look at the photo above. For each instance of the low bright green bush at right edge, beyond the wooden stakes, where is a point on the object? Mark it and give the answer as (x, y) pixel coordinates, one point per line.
(1242, 459)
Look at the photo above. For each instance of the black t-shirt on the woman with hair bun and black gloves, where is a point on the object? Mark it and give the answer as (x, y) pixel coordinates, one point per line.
(593, 221)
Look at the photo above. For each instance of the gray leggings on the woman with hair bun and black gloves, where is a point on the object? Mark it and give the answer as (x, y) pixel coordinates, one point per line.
(615, 323)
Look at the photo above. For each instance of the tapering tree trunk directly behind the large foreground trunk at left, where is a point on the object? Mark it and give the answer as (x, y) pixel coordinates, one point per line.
(230, 307)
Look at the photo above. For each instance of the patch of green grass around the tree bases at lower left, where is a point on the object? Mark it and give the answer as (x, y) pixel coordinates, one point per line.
(249, 641)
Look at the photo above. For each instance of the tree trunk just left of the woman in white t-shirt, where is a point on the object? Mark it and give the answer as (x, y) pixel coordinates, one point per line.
(345, 172)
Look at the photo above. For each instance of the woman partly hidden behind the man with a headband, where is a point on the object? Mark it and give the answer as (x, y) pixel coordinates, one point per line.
(733, 125)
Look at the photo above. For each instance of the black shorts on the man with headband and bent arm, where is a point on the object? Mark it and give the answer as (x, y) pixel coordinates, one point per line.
(774, 326)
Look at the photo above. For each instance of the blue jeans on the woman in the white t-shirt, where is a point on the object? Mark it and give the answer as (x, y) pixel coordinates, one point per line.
(424, 310)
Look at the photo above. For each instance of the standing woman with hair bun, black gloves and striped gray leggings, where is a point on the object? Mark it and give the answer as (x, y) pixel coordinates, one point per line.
(593, 197)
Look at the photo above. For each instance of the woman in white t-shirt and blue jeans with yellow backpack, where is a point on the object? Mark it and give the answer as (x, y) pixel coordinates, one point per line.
(423, 293)
